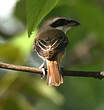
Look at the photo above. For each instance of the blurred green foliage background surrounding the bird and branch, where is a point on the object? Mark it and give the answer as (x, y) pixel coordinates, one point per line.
(26, 91)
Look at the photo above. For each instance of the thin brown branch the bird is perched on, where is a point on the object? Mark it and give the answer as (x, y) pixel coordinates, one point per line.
(99, 75)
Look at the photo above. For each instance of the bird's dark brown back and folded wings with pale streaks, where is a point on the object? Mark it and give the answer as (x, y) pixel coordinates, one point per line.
(48, 45)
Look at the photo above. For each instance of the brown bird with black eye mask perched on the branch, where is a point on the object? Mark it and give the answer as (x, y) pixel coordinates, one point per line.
(50, 44)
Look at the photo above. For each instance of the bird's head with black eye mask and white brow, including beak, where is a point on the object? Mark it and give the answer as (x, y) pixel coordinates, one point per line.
(61, 23)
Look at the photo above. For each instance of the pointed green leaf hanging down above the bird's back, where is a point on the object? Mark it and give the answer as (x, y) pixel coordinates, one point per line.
(36, 11)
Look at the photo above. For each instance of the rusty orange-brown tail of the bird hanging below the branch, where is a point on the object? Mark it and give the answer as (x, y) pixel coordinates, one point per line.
(53, 76)
